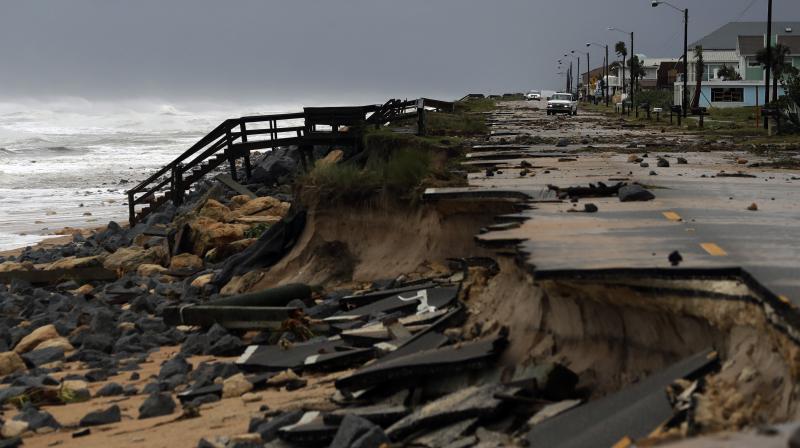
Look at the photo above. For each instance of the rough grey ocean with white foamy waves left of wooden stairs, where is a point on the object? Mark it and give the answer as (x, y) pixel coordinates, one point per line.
(68, 162)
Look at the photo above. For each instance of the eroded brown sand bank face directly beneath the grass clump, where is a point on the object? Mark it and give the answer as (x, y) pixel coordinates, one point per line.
(358, 244)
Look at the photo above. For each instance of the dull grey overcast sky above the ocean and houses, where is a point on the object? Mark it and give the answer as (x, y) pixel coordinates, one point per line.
(301, 50)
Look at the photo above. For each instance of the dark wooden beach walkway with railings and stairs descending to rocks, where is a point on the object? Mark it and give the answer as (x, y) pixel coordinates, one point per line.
(235, 138)
